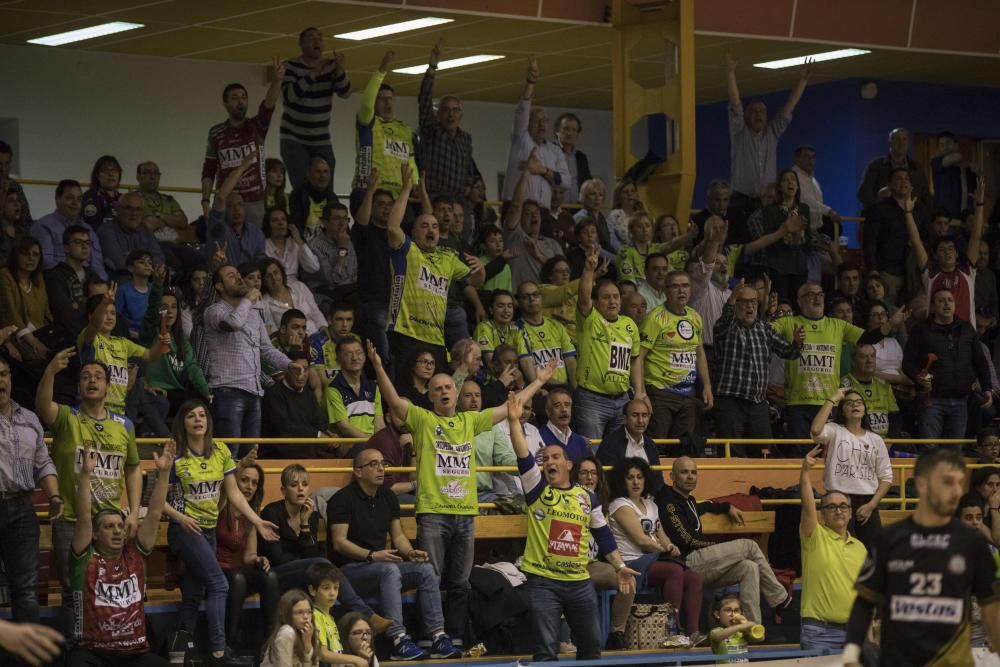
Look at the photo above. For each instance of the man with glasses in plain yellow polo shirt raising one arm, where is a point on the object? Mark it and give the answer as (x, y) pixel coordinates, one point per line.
(831, 560)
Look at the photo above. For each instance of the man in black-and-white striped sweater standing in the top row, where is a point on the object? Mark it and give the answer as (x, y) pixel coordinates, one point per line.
(307, 89)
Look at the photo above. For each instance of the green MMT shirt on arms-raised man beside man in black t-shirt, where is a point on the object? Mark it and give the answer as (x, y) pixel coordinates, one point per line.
(420, 285)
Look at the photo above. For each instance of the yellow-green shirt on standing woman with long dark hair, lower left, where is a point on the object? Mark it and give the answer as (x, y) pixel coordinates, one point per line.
(196, 483)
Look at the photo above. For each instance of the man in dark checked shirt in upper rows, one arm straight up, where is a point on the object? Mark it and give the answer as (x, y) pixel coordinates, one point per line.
(445, 148)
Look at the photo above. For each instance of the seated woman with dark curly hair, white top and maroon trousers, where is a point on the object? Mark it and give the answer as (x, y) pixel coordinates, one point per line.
(645, 547)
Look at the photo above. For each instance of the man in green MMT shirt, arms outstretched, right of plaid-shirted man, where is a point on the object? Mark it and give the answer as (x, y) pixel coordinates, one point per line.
(814, 374)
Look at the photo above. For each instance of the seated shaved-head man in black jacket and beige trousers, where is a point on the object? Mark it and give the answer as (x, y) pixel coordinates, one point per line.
(719, 563)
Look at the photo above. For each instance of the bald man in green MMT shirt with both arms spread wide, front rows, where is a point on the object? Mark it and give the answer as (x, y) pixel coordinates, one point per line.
(446, 476)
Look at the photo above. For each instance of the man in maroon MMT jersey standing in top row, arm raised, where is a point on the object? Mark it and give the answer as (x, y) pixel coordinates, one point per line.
(235, 138)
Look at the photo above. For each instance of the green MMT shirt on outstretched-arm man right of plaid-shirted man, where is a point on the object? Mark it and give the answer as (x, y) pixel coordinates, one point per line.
(814, 375)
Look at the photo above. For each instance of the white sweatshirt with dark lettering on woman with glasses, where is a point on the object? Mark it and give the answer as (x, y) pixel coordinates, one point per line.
(854, 465)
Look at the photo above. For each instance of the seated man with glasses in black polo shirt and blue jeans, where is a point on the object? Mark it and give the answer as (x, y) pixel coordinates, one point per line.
(360, 516)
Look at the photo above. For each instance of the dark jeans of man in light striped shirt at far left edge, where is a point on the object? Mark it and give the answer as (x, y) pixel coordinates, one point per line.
(19, 555)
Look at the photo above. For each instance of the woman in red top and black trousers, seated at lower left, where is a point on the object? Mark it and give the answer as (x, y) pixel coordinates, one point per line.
(236, 551)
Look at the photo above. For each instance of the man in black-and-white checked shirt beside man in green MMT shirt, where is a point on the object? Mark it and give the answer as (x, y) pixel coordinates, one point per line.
(743, 347)
